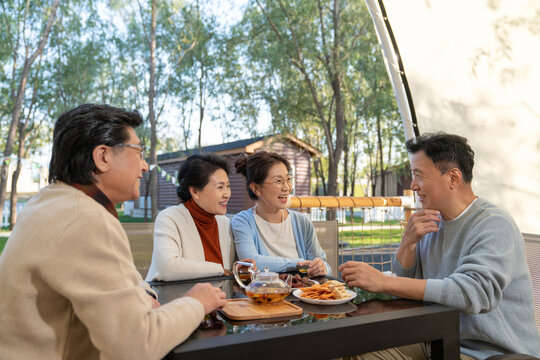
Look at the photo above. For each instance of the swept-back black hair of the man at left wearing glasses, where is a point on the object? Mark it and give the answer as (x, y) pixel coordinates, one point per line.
(78, 132)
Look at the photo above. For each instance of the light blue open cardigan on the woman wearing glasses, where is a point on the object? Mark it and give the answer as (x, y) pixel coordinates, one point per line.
(249, 244)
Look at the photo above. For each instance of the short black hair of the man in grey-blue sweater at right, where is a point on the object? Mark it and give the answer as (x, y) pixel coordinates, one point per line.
(446, 151)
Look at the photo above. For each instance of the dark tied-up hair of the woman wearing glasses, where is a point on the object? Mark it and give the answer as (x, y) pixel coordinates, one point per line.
(256, 166)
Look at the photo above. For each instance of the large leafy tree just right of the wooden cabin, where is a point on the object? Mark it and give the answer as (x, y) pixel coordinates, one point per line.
(303, 60)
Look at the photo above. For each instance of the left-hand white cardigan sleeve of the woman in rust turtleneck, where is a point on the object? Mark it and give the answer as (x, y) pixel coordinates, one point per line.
(168, 259)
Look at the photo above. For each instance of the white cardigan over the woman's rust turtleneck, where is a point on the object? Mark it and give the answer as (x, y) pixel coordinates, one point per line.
(178, 252)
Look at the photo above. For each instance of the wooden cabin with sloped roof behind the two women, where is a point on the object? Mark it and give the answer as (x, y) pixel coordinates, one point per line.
(295, 150)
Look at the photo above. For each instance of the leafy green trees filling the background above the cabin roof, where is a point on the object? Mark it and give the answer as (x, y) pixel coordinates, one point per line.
(314, 66)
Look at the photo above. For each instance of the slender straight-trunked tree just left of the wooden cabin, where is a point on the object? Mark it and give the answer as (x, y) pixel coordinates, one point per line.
(159, 35)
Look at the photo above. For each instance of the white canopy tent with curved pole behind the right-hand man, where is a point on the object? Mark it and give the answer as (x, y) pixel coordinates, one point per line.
(471, 68)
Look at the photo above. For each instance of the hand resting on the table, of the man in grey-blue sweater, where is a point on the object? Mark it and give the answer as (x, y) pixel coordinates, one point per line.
(359, 274)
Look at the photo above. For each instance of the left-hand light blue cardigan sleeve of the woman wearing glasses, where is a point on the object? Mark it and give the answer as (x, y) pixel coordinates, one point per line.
(248, 245)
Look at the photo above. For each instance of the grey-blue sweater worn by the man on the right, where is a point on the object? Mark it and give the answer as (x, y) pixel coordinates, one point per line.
(476, 263)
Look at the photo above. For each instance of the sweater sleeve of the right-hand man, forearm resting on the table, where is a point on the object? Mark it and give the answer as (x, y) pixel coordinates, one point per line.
(483, 272)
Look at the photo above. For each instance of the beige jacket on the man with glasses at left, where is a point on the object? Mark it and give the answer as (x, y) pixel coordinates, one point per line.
(69, 288)
